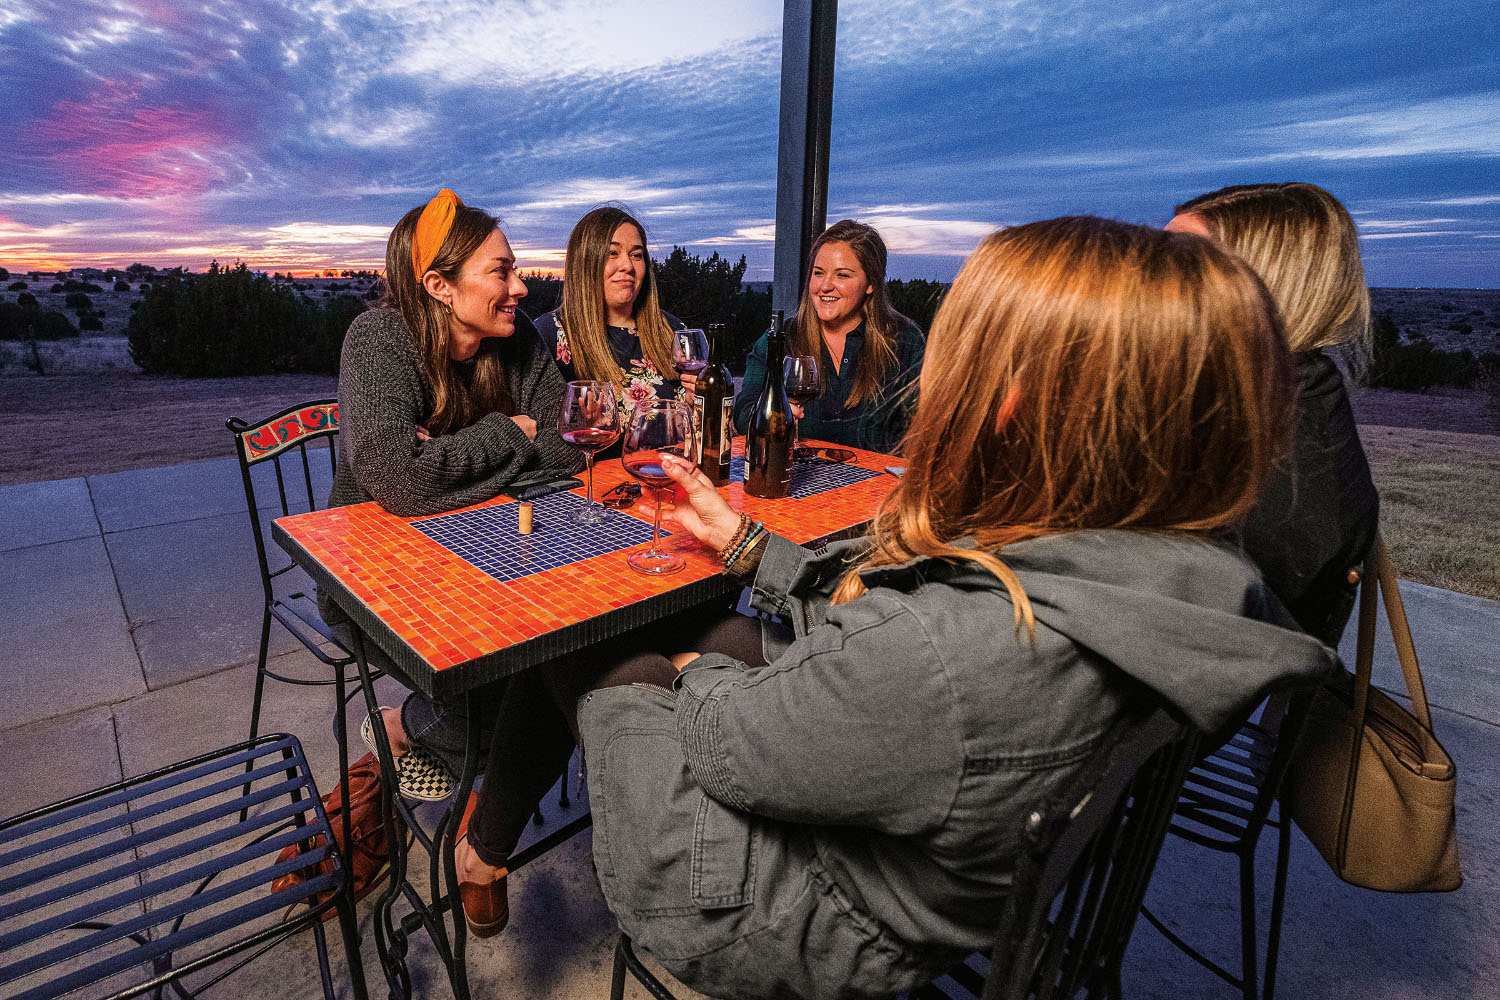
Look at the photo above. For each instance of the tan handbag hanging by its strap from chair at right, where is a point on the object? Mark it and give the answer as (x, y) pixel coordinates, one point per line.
(1372, 788)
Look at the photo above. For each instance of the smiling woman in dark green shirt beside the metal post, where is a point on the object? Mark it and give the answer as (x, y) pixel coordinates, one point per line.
(869, 356)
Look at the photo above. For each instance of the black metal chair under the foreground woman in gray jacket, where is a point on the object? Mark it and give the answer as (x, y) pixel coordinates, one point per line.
(1088, 855)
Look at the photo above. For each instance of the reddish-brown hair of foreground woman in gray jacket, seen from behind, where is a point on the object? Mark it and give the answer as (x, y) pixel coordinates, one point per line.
(1079, 391)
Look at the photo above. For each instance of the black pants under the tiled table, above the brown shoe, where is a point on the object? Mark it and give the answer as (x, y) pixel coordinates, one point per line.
(536, 729)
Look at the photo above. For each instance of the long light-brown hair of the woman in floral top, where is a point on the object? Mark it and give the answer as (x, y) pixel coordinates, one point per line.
(583, 313)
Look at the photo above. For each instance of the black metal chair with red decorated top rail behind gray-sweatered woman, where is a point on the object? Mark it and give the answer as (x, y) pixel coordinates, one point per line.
(281, 442)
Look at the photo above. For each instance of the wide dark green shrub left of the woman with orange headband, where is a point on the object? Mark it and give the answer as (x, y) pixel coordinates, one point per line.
(230, 322)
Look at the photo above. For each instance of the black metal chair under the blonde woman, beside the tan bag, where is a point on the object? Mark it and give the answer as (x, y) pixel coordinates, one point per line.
(1226, 803)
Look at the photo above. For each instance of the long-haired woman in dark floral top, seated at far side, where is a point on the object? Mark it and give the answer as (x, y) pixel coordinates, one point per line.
(611, 326)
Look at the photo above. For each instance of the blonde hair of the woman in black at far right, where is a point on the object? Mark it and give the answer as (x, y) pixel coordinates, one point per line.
(1304, 245)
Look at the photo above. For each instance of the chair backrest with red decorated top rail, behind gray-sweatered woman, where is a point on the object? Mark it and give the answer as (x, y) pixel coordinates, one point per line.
(283, 440)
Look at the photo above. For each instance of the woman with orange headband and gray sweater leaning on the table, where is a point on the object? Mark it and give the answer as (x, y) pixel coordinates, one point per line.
(446, 398)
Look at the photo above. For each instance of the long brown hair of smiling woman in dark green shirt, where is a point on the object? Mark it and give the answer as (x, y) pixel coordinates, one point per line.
(881, 319)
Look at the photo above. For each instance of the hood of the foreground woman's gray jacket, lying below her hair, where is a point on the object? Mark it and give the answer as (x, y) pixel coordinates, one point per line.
(1186, 617)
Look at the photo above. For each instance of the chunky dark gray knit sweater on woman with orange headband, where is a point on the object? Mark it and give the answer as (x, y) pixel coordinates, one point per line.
(385, 397)
